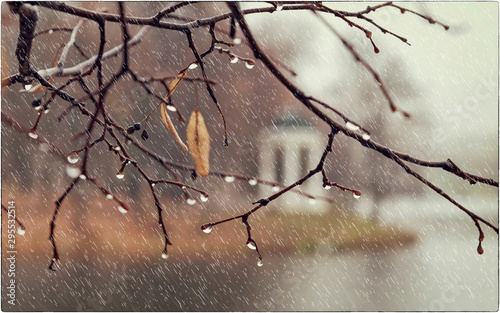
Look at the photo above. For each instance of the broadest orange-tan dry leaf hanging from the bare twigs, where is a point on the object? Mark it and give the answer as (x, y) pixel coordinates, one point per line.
(199, 142)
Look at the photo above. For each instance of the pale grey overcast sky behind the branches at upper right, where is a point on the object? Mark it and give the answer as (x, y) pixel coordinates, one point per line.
(456, 71)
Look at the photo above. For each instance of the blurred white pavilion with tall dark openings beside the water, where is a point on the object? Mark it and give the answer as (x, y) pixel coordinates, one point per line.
(288, 149)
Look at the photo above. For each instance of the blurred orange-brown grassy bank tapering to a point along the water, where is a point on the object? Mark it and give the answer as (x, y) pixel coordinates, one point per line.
(105, 233)
